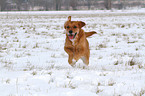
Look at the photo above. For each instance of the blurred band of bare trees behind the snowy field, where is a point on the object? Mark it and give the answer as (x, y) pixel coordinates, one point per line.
(18, 5)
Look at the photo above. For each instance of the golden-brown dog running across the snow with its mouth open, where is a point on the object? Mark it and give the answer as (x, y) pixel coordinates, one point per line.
(76, 44)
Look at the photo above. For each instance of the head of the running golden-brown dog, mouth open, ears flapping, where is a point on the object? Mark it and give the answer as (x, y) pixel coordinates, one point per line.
(72, 28)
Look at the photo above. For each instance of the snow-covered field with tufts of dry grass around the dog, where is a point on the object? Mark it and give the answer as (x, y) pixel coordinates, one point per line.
(34, 63)
